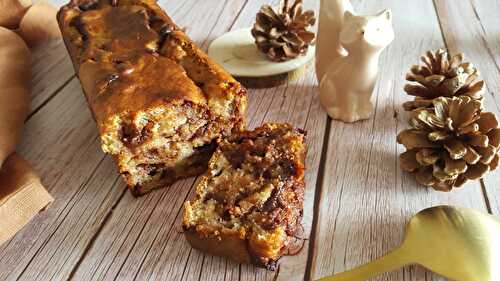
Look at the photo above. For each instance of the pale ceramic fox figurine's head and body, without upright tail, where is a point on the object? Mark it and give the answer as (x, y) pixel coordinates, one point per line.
(347, 86)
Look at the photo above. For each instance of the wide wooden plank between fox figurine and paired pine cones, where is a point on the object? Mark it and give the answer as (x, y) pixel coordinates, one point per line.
(366, 199)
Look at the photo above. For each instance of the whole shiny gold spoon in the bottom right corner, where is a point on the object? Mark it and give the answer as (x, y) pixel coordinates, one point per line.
(457, 243)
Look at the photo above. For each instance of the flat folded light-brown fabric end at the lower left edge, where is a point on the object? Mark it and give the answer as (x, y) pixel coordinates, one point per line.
(22, 196)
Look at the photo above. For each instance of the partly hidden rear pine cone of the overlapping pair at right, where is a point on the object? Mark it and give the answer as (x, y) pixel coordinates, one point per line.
(442, 76)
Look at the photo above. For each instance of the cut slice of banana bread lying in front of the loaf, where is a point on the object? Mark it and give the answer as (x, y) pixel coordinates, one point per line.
(249, 205)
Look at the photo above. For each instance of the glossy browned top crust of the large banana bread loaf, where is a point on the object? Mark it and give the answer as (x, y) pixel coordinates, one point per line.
(130, 56)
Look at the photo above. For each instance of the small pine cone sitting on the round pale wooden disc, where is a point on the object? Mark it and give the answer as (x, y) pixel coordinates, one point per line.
(283, 35)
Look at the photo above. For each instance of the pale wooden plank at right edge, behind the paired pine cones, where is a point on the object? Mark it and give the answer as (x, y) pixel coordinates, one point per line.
(472, 27)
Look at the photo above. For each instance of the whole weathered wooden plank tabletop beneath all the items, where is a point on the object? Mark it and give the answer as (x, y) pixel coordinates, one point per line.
(357, 201)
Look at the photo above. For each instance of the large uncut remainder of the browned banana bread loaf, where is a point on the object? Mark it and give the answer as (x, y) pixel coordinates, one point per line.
(159, 102)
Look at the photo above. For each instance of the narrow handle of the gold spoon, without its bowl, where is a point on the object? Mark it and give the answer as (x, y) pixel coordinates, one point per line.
(389, 262)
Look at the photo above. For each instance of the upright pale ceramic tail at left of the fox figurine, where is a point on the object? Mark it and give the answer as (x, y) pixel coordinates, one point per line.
(331, 15)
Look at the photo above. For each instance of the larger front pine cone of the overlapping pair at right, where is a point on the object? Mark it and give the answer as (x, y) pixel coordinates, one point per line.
(450, 143)
